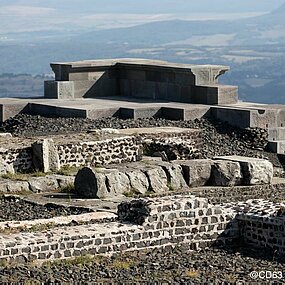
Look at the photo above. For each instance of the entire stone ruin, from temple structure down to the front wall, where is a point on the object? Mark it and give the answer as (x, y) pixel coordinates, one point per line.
(115, 165)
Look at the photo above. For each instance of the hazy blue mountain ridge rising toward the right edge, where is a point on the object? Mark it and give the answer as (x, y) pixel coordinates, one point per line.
(257, 30)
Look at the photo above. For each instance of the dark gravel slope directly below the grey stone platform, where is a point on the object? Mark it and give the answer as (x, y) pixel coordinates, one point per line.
(218, 138)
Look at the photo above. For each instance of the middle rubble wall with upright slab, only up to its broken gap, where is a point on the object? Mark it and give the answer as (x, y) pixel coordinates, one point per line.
(45, 156)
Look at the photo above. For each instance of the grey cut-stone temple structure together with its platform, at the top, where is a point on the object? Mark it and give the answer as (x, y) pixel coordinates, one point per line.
(137, 88)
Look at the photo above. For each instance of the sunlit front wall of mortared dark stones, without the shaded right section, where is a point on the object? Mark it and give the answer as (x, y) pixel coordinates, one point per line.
(150, 223)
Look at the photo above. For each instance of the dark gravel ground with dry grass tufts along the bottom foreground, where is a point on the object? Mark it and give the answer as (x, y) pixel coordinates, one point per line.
(168, 266)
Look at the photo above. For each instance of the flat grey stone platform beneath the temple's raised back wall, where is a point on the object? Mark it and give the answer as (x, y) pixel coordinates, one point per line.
(240, 114)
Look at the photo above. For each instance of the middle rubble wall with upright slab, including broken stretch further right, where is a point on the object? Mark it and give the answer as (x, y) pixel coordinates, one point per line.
(114, 150)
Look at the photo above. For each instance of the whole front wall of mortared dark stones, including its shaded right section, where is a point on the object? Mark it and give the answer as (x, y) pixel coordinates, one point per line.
(158, 222)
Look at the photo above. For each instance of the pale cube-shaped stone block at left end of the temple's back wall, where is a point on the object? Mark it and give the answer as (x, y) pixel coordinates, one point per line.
(58, 89)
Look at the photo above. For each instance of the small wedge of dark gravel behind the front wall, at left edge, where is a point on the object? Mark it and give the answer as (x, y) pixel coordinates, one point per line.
(15, 209)
